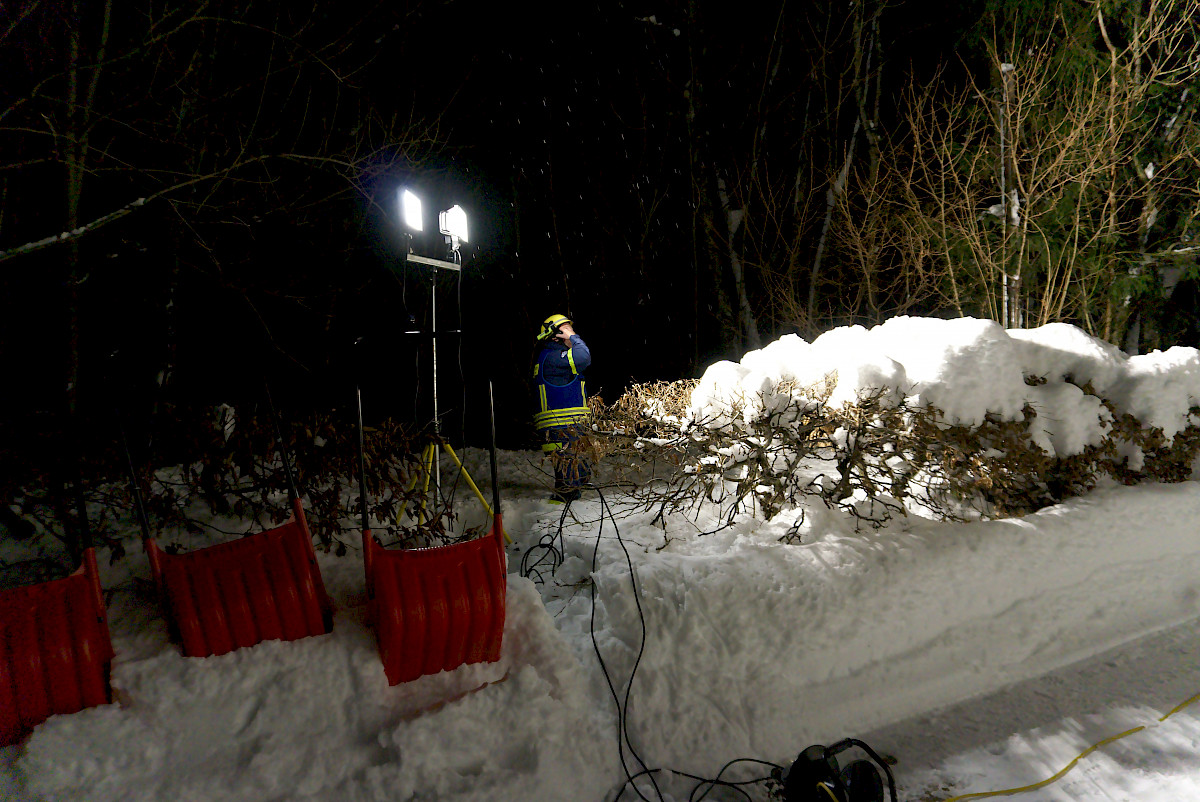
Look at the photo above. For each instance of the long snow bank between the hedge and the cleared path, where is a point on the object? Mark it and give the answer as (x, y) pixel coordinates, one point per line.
(759, 649)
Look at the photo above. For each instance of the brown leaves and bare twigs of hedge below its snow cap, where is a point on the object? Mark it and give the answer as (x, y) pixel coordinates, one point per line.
(871, 459)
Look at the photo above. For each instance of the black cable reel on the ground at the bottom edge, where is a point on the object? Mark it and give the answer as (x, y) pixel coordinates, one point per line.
(817, 777)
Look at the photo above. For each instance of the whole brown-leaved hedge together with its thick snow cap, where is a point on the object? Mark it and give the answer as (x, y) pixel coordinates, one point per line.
(950, 416)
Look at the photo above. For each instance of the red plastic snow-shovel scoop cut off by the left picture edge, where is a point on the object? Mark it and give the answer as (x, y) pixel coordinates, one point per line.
(56, 653)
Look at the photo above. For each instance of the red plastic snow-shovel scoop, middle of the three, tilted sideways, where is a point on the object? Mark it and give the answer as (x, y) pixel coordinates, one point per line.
(266, 586)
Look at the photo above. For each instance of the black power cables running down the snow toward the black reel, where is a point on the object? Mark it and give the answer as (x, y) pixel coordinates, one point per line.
(622, 705)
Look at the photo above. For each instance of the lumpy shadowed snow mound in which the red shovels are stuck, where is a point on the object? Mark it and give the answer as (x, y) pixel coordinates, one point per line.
(316, 720)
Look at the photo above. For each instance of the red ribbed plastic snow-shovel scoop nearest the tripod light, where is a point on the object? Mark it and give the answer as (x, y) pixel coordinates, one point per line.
(437, 609)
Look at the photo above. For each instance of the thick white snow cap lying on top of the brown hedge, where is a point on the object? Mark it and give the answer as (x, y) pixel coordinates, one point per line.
(967, 368)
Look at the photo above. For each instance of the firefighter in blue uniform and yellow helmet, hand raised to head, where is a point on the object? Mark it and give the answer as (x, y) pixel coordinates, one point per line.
(562, 404)
